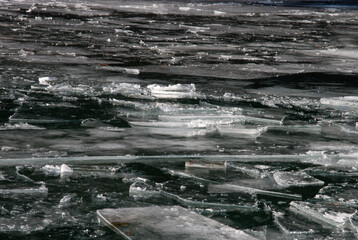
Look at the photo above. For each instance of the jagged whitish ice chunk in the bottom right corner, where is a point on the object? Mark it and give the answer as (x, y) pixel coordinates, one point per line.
(329, 215)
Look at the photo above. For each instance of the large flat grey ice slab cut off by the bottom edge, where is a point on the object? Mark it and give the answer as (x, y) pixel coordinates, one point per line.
(164, 223)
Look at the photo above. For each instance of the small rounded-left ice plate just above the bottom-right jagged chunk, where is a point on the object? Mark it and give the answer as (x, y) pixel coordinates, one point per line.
(296, 179)
